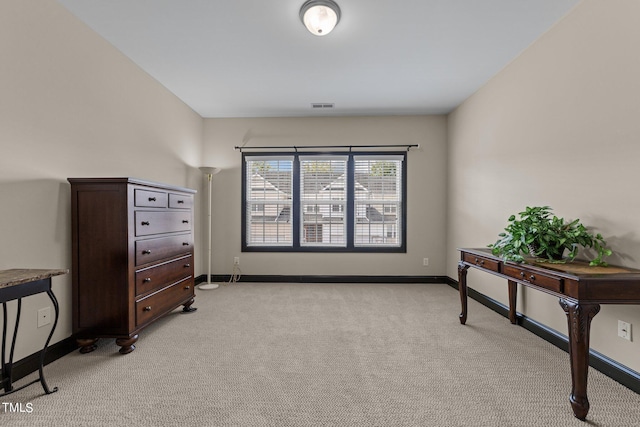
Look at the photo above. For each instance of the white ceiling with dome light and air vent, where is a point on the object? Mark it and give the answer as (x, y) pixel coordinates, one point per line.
(254, 58)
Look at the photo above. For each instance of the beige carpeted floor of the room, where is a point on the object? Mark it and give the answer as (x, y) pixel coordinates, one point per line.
(323, 355)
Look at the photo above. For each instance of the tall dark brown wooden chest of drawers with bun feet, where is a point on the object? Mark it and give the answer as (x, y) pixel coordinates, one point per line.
(132, 257)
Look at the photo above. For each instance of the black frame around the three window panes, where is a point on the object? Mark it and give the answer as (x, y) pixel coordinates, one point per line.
(349, 216)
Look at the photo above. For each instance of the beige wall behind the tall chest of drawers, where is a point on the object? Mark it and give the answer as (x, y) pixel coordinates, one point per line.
(73, 106)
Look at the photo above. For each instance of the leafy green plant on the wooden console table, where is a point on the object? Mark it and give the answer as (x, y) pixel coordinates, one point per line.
(542, 235)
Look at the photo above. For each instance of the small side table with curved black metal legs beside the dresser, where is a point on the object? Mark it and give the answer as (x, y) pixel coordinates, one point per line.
(14, 285)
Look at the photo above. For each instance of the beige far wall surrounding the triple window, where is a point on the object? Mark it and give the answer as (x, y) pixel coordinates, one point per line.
(426, 191)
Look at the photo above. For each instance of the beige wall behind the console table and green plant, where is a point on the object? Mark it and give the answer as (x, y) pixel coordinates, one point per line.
(559, 126)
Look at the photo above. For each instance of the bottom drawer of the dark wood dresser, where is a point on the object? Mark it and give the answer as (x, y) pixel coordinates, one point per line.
(163, 301)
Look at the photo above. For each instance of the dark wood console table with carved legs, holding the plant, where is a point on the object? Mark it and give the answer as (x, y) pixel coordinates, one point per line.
(580, 289)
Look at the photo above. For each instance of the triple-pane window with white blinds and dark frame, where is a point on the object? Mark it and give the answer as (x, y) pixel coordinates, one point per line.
(353, 202)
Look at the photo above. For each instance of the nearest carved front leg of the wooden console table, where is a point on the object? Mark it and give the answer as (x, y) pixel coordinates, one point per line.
(579, 322)
